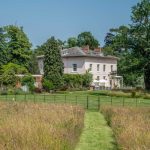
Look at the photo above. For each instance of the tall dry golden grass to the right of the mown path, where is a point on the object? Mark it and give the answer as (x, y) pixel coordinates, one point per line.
(131, 126)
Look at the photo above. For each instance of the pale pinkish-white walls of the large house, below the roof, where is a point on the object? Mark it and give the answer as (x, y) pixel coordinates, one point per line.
(83, 64)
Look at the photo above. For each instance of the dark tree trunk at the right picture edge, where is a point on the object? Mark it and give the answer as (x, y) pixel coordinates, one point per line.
(147, 77)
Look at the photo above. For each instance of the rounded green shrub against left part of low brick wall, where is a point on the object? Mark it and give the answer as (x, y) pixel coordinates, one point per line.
(28, 80)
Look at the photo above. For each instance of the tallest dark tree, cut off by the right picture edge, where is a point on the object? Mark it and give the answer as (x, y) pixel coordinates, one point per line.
(140, 37)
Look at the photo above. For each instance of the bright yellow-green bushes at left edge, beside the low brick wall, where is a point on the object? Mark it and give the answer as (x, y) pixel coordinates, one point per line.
(8, 74)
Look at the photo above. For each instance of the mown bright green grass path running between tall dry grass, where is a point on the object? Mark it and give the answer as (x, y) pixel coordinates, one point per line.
(96, 134)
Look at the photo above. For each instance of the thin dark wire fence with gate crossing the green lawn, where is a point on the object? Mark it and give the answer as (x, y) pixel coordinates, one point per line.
(87, 101)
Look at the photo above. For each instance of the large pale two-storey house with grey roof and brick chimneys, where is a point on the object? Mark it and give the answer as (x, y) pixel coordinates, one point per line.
(78, 60)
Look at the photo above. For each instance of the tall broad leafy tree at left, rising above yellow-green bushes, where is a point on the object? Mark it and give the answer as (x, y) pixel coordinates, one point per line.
(18, 45)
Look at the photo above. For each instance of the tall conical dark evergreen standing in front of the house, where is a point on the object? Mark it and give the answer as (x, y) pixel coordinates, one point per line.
(53, 64)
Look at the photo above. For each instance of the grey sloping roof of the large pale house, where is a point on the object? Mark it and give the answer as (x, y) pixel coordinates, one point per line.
(78, 52)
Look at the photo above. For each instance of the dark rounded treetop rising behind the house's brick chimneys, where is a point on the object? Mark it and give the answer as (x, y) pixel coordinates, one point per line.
(86, 38)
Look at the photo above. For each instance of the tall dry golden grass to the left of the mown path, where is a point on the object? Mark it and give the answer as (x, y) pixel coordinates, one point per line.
(39, 126)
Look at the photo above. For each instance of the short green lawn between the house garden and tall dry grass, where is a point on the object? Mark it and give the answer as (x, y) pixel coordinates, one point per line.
(90, 100)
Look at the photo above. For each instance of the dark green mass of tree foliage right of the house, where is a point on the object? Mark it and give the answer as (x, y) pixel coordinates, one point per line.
(131, 44)
